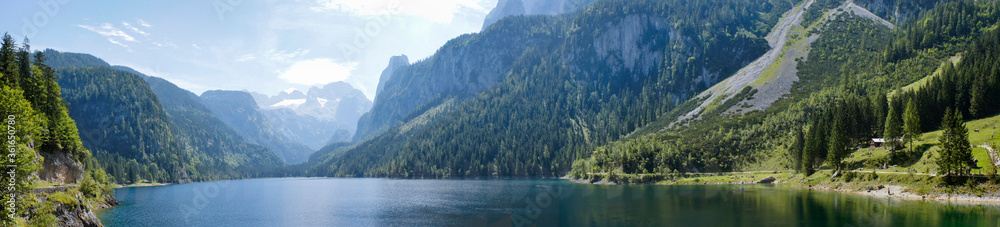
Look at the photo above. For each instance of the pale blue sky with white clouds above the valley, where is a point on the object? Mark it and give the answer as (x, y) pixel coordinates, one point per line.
(266, 46)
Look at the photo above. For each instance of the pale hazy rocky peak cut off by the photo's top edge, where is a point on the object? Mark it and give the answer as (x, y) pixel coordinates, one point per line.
(507, 8)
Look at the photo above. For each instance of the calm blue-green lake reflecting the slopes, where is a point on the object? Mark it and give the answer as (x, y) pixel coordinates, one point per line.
(389, 202)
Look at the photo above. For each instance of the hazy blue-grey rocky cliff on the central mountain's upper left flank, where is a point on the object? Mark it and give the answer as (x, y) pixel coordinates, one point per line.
(462, 68)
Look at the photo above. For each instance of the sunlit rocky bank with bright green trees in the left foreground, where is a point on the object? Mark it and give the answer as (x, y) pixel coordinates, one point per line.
(43, 147)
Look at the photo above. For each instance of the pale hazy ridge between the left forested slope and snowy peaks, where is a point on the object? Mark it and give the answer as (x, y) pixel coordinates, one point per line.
(238, 110)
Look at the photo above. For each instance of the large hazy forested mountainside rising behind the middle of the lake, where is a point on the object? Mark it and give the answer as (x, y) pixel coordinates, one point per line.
(561, 86)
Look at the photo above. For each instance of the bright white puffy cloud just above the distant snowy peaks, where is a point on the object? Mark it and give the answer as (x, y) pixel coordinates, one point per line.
(318, 71)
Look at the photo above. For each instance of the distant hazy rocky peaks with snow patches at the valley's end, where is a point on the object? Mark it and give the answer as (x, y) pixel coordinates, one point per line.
(318, 117)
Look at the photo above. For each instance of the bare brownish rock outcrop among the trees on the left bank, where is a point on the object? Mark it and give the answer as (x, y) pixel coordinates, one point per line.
(60, 168)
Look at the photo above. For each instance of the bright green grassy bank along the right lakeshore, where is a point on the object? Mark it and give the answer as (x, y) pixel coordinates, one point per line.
(917, 176)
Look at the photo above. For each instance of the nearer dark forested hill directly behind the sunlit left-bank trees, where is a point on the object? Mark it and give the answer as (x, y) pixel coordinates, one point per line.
(120, 114)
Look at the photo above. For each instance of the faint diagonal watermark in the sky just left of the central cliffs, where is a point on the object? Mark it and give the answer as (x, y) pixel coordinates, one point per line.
(373, 28)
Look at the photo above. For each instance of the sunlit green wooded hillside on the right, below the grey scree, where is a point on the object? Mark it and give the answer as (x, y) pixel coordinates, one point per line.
(851, 89)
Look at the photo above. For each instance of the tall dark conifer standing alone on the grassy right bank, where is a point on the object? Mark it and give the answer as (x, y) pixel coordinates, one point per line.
(956, 151)
